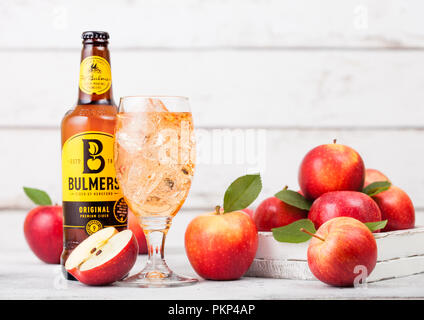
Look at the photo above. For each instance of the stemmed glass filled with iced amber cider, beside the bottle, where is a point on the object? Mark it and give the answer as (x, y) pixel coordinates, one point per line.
(154, 158)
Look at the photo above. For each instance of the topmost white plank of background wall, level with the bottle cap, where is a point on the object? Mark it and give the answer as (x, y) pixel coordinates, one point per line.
(236, 23)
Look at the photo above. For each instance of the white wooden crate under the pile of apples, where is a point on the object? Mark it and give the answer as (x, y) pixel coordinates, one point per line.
(400, 253)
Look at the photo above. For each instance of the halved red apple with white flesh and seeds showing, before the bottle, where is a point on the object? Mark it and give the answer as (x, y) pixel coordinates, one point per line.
(104, 257)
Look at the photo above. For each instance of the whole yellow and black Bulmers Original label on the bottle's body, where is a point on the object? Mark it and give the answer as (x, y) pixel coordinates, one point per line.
(92, 199)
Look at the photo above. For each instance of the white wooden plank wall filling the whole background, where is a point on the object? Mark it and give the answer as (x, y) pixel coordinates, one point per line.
(305, 72)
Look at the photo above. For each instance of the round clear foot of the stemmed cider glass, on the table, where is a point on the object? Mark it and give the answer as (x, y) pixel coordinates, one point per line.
(155, 280)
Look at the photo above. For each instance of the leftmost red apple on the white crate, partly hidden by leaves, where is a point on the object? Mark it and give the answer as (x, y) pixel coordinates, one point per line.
(274, 213)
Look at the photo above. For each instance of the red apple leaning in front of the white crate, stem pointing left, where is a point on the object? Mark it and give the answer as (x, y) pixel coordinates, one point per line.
(338, 248)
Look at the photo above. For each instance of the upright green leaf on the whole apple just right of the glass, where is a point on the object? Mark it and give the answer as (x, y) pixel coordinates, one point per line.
(242, 192)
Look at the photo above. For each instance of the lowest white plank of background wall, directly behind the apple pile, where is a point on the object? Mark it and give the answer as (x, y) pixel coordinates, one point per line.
(32, 158)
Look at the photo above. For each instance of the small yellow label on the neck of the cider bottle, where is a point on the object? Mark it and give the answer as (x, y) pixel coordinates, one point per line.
(95, 75)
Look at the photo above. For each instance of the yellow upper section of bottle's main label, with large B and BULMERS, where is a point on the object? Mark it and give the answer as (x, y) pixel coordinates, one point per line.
(87, 168)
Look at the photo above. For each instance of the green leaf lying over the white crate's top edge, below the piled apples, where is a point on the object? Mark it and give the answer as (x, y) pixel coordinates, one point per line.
(291, 233)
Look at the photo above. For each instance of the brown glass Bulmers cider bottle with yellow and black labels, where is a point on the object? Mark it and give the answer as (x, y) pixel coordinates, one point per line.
(91, 196)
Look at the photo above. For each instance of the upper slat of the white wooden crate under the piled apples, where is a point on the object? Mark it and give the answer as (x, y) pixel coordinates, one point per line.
(391, 245)
